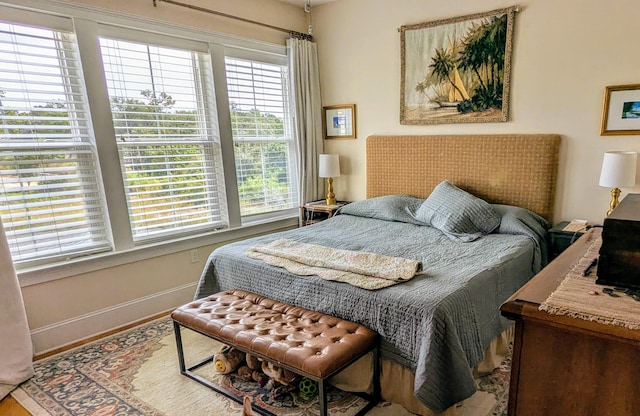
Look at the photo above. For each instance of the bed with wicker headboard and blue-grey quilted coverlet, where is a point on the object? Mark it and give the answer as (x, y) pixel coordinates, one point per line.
(441, 323)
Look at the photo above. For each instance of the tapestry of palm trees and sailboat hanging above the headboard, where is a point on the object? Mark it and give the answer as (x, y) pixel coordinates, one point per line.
(457, 70)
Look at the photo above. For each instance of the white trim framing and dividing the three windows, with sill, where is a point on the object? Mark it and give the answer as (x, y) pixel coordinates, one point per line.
(89, 22)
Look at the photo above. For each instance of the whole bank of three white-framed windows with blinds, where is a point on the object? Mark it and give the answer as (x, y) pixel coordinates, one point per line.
(150, 170)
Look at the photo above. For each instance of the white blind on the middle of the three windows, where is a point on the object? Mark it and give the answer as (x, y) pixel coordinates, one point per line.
(164, 118)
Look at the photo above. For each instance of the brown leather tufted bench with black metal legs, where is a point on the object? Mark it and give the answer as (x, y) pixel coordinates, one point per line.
(308, 343)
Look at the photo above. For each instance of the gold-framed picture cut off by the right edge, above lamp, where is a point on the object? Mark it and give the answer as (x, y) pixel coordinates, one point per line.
(621, 112)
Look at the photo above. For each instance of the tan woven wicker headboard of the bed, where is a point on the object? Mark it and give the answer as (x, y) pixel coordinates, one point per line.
(519, 169)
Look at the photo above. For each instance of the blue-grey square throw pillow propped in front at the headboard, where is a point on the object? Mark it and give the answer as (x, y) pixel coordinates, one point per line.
(457, 213)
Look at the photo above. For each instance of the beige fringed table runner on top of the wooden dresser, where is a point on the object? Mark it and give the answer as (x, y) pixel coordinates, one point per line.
(580, 297)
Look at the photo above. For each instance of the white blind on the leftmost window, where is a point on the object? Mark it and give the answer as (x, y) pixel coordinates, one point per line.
(50, 194)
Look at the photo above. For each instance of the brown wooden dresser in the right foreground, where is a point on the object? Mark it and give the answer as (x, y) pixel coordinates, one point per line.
(568, 366)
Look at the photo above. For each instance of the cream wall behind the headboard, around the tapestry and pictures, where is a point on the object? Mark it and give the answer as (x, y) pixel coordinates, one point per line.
(565, 53)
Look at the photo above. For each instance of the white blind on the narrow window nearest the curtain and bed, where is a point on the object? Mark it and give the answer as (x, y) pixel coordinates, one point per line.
(263, 145)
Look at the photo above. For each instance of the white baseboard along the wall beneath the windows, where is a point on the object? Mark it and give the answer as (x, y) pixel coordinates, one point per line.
(64, 333)
